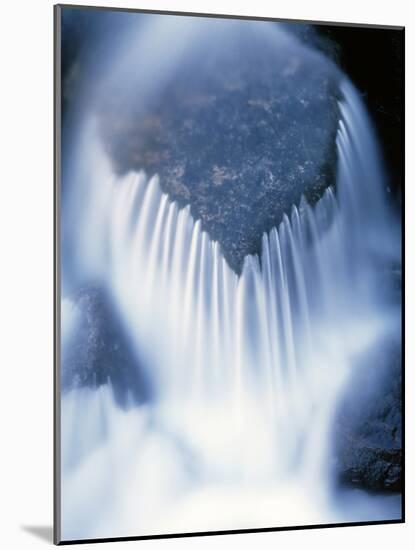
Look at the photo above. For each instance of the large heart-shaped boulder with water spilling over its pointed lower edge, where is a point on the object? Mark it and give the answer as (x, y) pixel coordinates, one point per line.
(240, 128)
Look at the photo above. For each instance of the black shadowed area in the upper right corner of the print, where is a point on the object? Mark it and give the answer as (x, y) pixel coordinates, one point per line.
(373, 58)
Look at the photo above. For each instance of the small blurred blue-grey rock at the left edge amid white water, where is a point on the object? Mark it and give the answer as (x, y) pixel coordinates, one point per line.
(98, 351)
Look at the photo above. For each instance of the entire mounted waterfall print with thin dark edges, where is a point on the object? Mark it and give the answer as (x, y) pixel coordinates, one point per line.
(228, 313)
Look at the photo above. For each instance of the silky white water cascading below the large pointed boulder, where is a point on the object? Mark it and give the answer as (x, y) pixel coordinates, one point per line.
(248, 370)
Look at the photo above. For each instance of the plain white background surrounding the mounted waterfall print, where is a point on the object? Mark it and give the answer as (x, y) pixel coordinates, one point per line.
(26, 233)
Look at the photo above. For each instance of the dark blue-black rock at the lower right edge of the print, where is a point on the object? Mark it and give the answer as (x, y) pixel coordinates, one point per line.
(368, 431)
